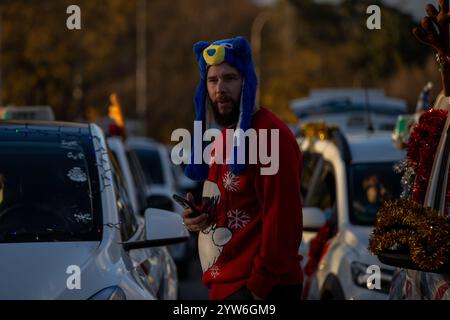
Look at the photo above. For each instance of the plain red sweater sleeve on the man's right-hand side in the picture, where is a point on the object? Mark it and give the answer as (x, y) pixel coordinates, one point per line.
(279, 196)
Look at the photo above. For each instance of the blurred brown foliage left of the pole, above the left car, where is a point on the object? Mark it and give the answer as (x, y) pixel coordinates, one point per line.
(45, 63)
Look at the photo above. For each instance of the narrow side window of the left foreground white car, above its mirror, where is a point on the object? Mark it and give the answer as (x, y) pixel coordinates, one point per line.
(128, 222)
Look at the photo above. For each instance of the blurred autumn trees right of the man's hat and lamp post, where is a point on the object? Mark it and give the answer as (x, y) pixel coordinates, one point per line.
(330, 46)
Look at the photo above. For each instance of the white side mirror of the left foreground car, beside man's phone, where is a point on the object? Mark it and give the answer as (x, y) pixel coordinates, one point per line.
(162, 228)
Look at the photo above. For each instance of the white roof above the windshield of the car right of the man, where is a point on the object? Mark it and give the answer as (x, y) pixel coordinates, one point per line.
(373, 147)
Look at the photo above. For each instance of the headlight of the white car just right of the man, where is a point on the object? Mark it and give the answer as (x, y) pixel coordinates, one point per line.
(364, 276)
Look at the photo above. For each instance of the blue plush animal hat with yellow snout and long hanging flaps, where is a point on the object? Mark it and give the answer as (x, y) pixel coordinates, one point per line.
(237, 53)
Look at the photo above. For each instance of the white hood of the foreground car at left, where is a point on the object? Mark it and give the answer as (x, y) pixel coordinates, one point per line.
(38, 270)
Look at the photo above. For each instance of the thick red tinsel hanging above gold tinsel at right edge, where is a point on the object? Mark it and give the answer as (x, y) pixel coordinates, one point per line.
(422, 147)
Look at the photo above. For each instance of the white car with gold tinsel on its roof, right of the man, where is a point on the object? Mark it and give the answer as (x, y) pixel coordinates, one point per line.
(345, 180)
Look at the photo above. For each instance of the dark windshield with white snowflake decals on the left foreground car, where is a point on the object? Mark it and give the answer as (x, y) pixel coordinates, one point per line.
(48, 191)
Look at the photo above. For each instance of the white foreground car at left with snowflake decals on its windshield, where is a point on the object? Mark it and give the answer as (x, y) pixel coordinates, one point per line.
(67, 227)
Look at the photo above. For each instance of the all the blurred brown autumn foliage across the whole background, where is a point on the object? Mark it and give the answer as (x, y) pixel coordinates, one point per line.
(304, 45)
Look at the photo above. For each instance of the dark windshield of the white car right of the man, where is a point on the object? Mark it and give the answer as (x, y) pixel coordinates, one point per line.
(371, 184)
